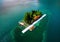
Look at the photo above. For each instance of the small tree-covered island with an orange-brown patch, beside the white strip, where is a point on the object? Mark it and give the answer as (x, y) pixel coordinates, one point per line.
(30, 17)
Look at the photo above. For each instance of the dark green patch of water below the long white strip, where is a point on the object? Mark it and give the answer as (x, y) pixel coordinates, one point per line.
(34, 36)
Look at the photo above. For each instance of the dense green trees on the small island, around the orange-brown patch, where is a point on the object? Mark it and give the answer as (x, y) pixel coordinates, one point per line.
(29, 16)
